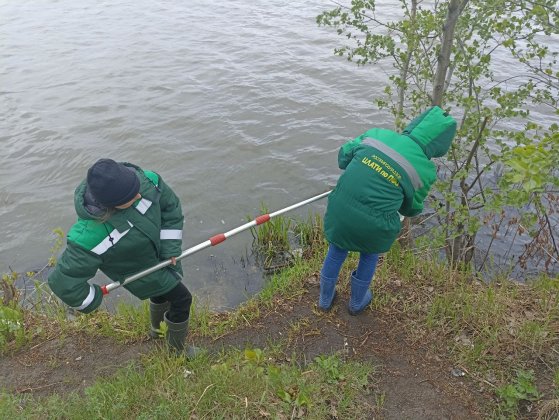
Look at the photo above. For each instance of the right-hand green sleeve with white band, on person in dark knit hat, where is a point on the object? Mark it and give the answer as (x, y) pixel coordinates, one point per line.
(172, 221)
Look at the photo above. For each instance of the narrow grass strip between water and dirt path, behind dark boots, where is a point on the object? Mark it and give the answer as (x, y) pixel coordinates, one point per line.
(128, 322)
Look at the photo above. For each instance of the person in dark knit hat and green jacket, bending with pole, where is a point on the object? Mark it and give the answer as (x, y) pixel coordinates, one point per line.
(128, 220)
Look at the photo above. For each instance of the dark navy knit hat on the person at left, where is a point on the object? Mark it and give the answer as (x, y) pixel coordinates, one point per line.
(111, 183)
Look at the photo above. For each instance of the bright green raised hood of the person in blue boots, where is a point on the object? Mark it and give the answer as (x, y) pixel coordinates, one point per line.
(433, 131)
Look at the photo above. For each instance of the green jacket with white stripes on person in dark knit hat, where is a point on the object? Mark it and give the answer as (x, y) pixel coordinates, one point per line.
(131, 240)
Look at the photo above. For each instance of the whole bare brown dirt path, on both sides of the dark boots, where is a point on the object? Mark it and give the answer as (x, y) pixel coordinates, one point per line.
(413, 383)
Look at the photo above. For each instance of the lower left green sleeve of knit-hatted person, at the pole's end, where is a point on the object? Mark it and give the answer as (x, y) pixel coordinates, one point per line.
(69, 279)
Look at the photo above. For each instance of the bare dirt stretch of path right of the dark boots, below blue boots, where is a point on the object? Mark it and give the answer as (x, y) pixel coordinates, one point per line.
(415, 383)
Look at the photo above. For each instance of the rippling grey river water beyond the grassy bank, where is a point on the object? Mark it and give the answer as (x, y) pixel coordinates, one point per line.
(234, 103)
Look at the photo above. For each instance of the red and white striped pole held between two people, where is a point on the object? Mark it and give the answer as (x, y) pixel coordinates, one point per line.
(213, 241)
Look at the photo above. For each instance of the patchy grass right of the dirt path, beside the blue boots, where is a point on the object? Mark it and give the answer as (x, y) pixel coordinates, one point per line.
(503, 329)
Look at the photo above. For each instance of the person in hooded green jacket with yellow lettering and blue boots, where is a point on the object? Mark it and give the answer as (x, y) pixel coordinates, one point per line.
(387, 174)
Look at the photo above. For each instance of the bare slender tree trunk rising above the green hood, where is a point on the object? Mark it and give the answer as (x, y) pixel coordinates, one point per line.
(455, 9)
